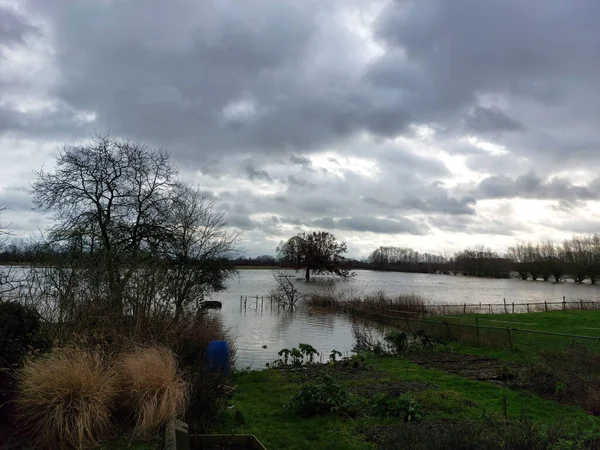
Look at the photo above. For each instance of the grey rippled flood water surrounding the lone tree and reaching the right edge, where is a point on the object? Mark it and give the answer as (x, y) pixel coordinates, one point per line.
(262, 324)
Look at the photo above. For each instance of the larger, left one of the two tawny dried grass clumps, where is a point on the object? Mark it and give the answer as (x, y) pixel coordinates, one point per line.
(66, 398)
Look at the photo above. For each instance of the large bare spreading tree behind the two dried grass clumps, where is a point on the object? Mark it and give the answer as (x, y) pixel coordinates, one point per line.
(143, 242)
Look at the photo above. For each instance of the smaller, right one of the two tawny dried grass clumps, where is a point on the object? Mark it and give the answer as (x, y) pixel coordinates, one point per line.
(153, 389)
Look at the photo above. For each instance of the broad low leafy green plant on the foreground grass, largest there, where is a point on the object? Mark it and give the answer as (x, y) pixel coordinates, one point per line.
(324, 397)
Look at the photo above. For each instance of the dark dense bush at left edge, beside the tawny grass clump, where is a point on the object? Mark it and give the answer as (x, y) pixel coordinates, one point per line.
(19, 337)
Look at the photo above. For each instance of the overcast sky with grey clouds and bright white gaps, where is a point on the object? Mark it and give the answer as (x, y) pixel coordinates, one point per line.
(436, 125)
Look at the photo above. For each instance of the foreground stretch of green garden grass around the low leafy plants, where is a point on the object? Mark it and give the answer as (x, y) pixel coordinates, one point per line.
(258, 407)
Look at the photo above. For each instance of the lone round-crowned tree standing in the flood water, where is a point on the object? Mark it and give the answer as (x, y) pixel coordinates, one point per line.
(318, 252)
